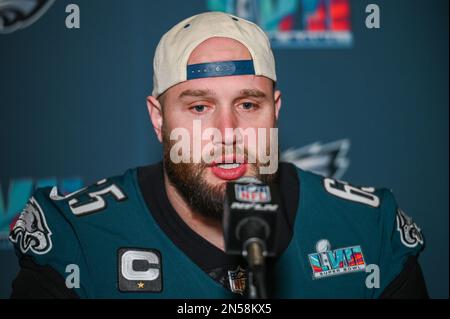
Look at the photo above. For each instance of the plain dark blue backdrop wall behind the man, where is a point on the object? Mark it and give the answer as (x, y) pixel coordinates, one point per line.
(72, 105)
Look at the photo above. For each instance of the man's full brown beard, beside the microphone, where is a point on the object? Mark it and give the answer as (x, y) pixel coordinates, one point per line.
(189, 180)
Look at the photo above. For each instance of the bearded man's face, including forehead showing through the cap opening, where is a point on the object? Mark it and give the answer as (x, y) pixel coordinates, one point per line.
(224, 103)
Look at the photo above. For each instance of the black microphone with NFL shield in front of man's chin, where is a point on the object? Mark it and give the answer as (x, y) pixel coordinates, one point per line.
(250, 222)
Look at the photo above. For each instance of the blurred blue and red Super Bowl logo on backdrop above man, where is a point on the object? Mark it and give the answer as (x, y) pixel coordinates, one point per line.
(295, 23)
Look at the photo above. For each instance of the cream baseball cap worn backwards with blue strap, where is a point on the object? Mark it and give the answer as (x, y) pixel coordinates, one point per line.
(172, 53)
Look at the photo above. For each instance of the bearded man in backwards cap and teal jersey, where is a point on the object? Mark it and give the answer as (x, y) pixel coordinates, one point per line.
(157, 231)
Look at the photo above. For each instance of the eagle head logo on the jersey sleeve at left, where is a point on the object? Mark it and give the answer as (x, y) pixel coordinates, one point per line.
(31, 231)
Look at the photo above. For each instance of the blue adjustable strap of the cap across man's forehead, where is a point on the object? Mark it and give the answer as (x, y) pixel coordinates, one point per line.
(223, 68)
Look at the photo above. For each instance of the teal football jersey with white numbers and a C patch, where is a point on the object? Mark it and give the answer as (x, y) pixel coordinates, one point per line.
(347, 242)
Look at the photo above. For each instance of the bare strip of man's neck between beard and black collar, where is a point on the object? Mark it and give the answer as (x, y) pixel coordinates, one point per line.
(206, 228)
